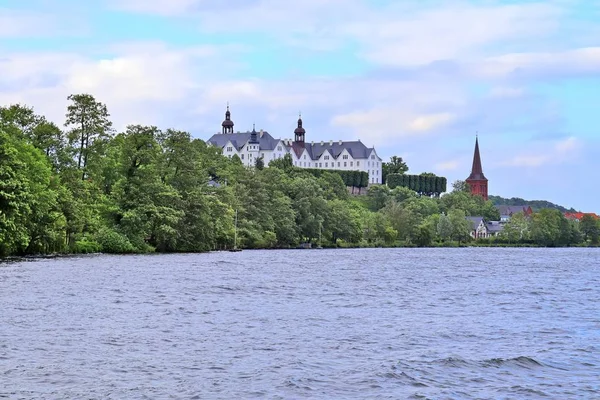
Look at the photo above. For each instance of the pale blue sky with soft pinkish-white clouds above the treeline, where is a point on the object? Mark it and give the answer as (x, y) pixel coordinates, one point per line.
(417, 79)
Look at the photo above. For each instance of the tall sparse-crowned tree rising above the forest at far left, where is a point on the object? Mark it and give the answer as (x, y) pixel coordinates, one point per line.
(89, 123)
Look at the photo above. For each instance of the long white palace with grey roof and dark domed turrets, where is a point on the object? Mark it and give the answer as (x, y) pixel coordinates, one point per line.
(334, 155)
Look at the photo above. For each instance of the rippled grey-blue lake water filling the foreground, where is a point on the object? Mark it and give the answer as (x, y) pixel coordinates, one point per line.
(343, 324)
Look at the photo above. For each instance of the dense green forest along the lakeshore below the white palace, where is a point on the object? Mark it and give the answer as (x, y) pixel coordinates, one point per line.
(83, 188)
